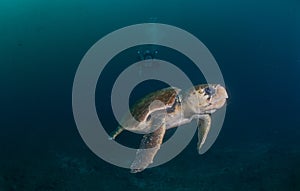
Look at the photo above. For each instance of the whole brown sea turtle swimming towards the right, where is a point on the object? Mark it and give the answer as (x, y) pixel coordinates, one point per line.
(168, 108)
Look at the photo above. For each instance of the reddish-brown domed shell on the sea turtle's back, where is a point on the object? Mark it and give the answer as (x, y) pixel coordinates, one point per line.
(141, 109)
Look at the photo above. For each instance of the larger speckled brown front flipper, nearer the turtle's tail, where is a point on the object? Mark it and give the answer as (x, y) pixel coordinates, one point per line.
(149, 146)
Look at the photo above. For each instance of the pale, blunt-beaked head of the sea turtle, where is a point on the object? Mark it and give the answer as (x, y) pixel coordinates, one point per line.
(204, 99)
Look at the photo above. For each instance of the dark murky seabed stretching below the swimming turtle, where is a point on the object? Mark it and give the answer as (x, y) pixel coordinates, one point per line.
(249, 167)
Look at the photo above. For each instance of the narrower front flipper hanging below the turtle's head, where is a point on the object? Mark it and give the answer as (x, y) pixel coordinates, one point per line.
(204, 123)
